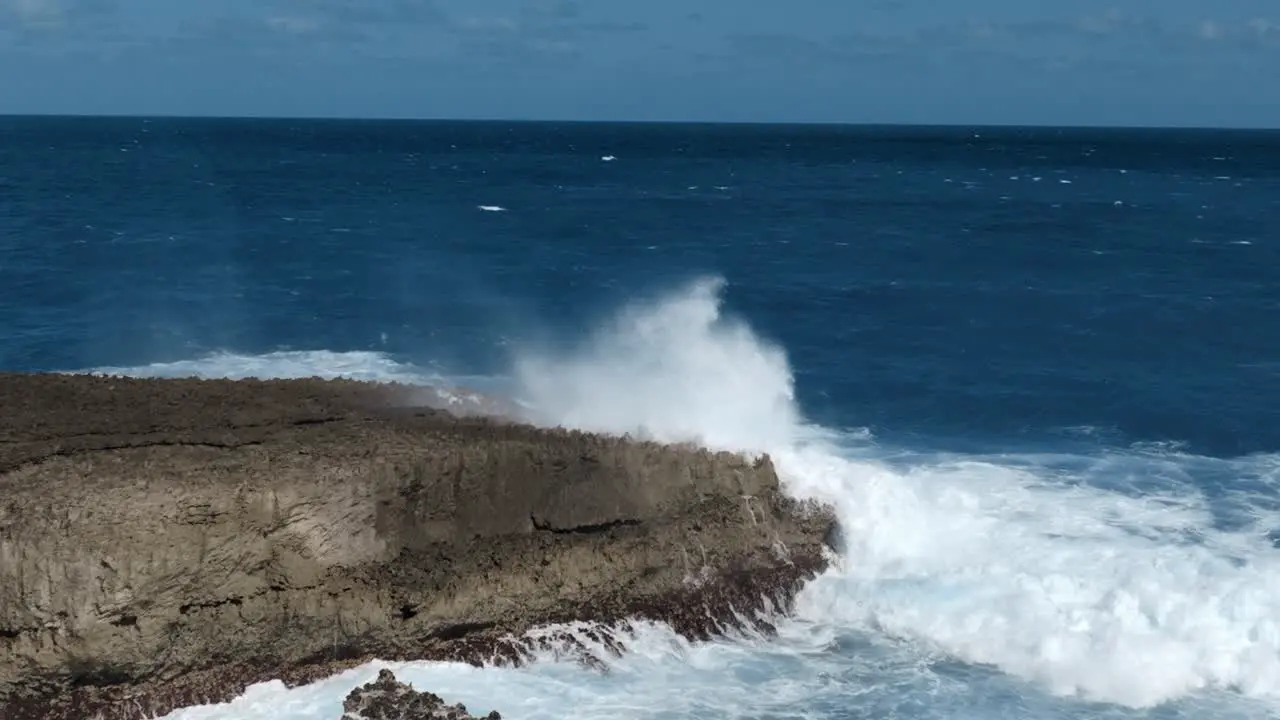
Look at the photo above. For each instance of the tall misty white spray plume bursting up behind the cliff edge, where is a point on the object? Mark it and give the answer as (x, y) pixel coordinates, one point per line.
(675, 370)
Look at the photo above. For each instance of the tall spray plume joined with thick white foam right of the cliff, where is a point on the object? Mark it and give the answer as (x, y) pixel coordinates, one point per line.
(1086, 591)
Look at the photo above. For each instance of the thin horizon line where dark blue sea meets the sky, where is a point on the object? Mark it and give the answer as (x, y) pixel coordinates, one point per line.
(638, 122)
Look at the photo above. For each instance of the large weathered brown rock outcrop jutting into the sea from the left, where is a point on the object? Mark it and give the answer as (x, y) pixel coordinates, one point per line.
(170, 543)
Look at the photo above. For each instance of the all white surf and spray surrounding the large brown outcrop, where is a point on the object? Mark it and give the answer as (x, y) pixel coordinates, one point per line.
(1030, 586)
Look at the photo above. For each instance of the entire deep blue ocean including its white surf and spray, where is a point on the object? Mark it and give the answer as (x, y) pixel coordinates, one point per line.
(1036, 371)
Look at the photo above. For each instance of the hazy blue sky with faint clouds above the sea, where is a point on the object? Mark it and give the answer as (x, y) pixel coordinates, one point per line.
(1068, 62)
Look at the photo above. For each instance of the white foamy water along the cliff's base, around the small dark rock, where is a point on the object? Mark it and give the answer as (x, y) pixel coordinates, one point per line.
(661, 677)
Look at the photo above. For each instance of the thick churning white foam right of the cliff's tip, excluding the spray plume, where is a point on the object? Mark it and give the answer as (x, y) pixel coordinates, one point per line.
(1128, 600)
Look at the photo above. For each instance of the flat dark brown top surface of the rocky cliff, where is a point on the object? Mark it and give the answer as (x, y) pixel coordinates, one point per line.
(48, 416)
